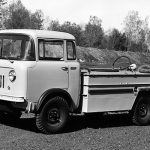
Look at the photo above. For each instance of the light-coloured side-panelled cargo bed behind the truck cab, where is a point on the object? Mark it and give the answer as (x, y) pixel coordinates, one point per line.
(110, 89)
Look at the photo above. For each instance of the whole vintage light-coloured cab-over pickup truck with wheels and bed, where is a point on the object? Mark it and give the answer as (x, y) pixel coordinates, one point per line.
(40, 74)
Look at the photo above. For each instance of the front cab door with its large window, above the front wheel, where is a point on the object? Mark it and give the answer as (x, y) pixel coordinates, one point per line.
(51, 71)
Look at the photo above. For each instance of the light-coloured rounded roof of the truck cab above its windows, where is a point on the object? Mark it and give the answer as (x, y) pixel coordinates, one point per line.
(40, 33)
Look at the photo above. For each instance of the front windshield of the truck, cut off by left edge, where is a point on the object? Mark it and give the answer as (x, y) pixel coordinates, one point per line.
(16, 47)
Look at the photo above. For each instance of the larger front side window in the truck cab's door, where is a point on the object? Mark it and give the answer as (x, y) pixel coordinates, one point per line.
(51, 50)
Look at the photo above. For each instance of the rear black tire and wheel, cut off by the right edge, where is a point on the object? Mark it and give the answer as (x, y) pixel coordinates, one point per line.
(141, 114)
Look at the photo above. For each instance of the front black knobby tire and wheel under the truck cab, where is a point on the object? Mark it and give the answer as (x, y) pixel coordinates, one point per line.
(53, 116)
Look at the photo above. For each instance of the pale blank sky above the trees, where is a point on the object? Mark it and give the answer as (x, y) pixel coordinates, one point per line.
(111, 12)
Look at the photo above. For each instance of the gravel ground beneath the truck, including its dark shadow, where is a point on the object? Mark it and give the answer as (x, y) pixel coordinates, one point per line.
(111, 132)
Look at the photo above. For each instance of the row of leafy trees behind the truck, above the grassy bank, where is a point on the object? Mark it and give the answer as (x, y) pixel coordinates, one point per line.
(135, 35)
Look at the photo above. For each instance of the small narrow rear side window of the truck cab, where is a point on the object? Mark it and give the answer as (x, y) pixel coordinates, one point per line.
(71, 53)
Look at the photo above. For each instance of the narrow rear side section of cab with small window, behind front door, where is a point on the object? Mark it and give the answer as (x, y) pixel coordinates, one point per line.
(74, 71)
